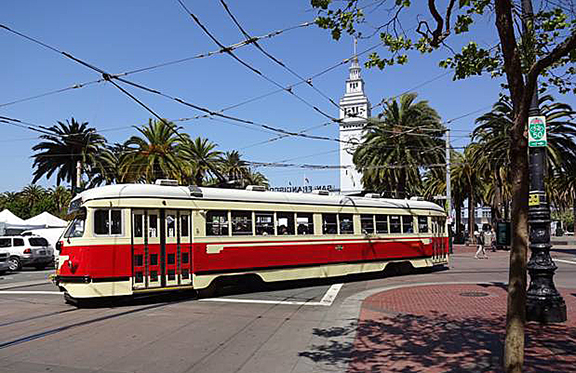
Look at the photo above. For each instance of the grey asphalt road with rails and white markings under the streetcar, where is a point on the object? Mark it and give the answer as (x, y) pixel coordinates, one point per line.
(271, 329)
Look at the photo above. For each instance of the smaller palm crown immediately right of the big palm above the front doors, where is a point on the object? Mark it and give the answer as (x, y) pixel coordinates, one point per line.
(203, 161)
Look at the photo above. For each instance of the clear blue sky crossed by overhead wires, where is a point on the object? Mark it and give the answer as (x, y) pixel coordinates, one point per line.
(119, 36)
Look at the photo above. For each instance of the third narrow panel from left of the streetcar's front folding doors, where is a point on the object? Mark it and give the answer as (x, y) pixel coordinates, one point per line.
(170, 245)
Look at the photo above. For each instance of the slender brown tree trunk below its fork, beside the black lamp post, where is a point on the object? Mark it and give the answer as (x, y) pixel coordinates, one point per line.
(516, 307)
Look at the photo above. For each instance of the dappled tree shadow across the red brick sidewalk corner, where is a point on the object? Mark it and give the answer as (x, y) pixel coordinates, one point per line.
(410, 343)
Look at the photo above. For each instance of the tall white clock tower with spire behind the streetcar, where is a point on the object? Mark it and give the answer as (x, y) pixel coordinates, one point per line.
(354, 110)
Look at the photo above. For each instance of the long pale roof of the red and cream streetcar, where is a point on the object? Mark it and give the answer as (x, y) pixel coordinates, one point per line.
(240, 195)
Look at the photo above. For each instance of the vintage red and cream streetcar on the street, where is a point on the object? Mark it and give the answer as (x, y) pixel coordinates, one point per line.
(136, 238)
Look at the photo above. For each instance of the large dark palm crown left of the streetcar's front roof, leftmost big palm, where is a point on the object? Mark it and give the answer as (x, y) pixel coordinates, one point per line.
(69, 144)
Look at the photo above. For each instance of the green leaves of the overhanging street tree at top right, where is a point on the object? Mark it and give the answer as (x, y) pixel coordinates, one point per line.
(551, 24)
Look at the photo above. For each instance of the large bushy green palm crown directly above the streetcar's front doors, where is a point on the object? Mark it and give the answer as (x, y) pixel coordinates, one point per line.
(153, 155)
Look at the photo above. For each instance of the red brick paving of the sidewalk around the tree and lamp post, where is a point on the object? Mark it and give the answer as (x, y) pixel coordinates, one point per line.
(457, 328)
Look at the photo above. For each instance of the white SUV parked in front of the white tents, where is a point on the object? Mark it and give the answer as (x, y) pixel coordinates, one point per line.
(32, 251)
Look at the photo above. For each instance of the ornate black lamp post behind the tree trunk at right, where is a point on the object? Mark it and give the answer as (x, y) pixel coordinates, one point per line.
(543, 302)
